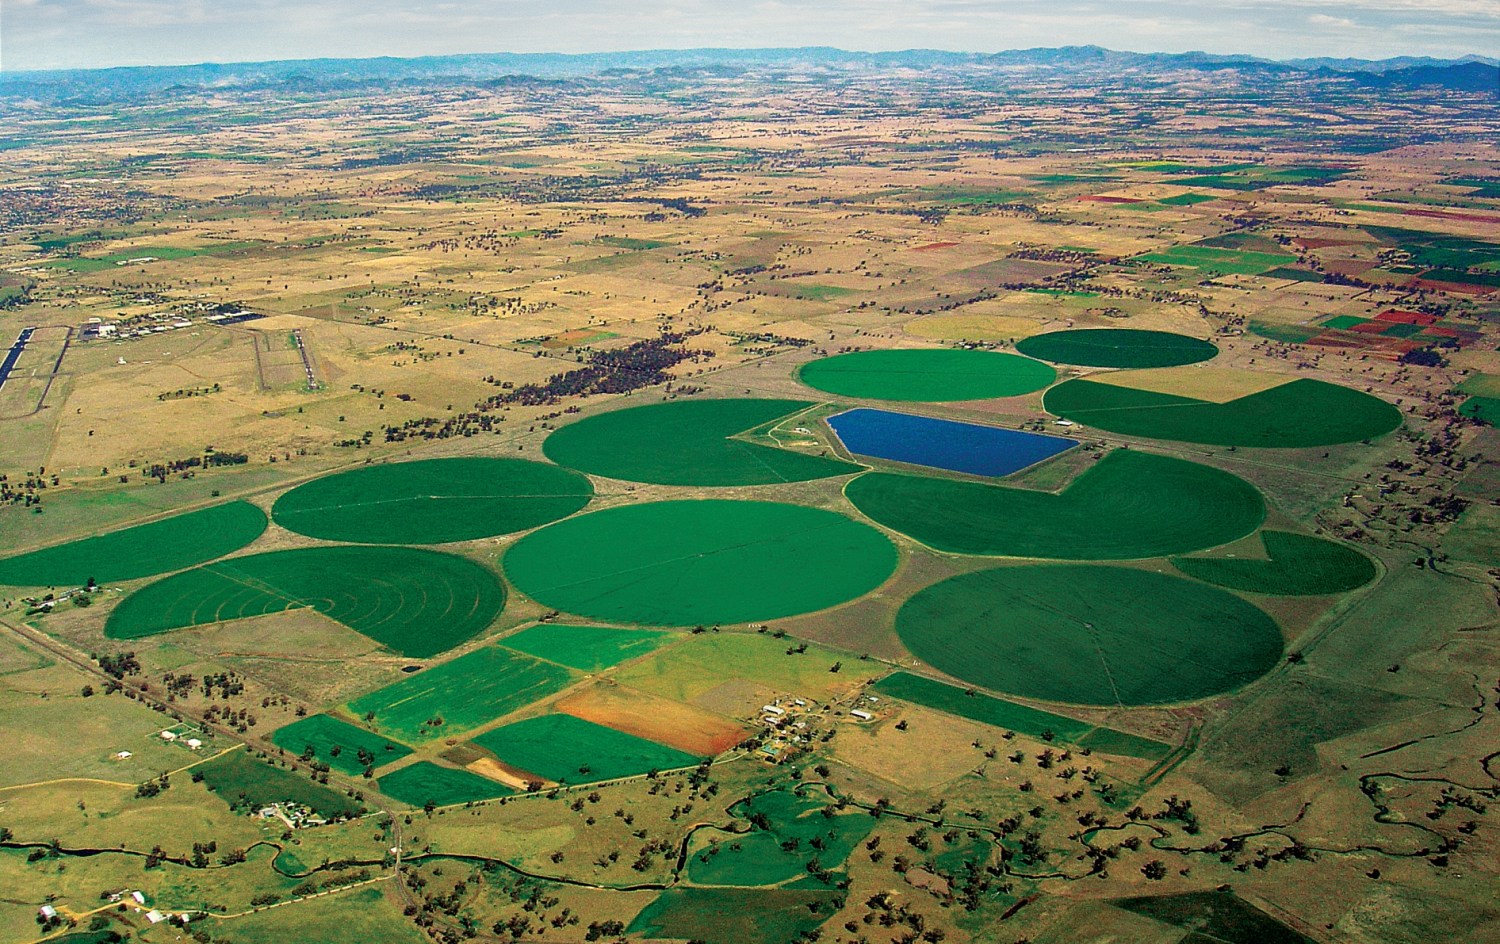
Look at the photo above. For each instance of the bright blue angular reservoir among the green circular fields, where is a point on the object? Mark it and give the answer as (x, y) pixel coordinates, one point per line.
(923, 440)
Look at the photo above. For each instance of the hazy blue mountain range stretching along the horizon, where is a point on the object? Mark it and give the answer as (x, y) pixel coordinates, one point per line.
(94, 86)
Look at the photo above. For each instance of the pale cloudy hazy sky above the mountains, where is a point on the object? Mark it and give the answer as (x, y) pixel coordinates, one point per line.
(73, 34)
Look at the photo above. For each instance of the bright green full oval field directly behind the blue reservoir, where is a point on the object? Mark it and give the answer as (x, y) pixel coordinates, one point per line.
(932, 376)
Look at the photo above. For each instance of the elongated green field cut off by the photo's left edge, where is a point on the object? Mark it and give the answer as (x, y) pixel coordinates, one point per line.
(142, 552)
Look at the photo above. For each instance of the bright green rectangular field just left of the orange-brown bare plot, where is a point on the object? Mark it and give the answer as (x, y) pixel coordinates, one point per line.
(461, 694)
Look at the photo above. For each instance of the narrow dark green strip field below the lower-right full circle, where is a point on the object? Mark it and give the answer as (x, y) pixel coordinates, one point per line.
(1024, 720)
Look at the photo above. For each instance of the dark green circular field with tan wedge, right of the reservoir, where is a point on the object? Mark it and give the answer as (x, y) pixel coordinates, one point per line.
(1294, 415)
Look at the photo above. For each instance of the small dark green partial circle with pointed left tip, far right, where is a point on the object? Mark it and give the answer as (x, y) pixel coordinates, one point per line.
(1297, 565)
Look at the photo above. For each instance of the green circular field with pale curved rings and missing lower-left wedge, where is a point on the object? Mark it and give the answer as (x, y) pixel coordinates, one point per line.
(413, 603)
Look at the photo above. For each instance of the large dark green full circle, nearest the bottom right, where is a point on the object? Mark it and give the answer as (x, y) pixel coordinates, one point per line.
(1090, 634)
